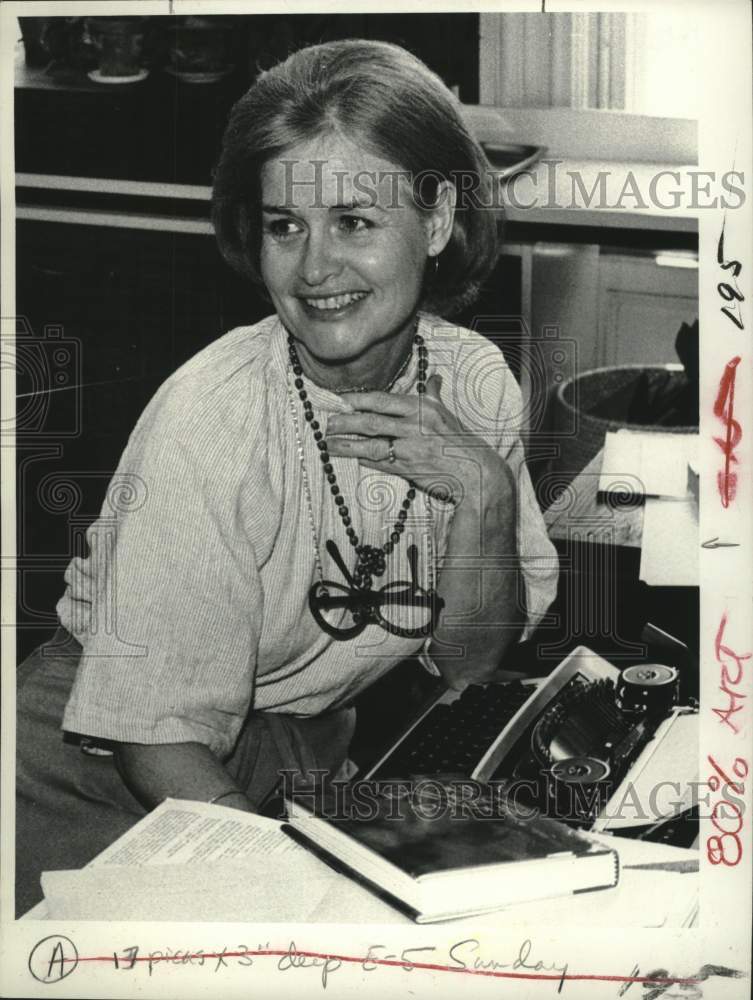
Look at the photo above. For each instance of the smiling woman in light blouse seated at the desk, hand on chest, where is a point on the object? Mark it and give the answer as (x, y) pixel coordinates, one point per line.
(313, 498)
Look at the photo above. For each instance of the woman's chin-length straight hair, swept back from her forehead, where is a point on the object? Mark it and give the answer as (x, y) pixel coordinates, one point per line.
(395, 105)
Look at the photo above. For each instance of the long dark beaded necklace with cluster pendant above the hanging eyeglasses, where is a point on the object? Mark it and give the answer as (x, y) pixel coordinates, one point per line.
(371, 560)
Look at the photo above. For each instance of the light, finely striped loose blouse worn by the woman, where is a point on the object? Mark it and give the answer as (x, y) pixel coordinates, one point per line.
(203, 554)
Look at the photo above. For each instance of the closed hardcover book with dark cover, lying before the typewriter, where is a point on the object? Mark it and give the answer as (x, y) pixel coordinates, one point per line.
(441, 858)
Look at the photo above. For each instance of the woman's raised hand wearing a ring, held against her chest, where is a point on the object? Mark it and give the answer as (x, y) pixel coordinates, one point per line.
(430, 446)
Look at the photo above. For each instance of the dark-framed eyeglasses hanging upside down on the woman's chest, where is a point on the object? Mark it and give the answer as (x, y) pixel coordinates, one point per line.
(366, 603)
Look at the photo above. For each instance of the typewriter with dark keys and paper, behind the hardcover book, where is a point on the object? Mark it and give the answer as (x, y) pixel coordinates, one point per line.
(598, 747)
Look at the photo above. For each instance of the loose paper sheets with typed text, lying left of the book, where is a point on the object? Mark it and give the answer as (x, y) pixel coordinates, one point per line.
(187, 848)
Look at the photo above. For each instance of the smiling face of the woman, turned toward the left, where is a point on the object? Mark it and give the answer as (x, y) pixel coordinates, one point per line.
(343, 249)
